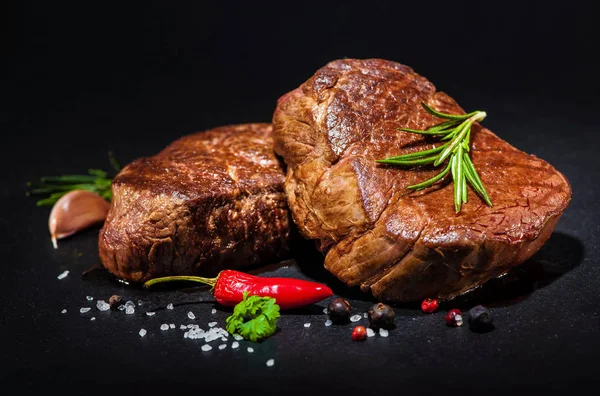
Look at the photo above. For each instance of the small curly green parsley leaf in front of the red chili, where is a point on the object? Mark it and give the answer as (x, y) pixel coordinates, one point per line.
(254, 318)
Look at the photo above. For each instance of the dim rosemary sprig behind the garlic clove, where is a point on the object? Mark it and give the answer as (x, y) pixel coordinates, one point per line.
(54, 187)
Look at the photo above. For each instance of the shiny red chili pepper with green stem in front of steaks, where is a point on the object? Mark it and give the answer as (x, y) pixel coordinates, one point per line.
(229, 285)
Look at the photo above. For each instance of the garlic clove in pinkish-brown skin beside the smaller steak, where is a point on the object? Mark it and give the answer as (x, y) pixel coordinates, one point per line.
(75, 211)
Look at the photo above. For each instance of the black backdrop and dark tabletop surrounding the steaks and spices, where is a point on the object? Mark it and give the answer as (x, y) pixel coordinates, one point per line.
(80, 79)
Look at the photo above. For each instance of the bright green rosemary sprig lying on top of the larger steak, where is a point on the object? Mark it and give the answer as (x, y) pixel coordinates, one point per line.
(457, 132)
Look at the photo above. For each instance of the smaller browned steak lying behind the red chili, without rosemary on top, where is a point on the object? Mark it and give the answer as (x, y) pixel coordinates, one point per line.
(208, 201)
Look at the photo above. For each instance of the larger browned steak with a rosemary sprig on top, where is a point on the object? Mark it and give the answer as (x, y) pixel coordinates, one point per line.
(397, 244)
